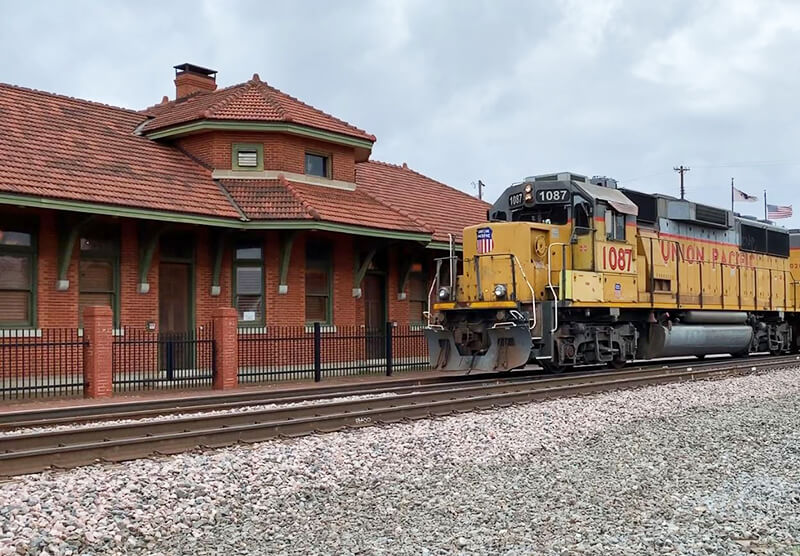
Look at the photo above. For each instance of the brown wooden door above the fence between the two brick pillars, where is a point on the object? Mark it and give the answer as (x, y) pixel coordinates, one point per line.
(174, 297)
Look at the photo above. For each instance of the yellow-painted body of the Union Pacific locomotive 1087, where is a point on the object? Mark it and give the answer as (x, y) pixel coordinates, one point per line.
(644, 270)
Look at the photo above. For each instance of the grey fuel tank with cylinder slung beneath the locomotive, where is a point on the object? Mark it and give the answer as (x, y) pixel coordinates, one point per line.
(694, 339)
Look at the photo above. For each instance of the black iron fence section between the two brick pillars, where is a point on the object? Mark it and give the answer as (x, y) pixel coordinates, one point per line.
(143, 359)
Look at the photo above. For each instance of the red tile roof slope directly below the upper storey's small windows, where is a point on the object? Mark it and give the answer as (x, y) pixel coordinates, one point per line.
(283, 200)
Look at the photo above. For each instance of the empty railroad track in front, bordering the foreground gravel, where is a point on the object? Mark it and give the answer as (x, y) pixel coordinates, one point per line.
(32, 452)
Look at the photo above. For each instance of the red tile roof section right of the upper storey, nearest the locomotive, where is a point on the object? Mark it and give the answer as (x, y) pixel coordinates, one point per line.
(439, 207)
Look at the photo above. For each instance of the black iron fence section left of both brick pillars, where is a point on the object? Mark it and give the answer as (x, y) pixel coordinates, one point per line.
(40, 363)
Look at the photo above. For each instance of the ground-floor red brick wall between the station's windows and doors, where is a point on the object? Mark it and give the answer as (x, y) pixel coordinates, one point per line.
(60, 308)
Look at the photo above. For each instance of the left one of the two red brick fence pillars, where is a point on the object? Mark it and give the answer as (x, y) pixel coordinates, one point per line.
(98, 329)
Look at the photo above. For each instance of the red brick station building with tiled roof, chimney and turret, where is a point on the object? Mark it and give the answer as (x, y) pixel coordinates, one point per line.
(242, 196)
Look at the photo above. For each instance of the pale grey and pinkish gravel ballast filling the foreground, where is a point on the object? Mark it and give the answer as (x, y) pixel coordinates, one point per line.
(701, 468)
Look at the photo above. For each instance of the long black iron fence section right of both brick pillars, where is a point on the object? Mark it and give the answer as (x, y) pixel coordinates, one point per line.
(317, 351)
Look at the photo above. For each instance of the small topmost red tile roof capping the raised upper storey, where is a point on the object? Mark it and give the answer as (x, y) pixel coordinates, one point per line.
(250, 101)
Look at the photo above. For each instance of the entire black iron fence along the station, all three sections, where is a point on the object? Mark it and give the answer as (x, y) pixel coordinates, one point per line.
(50, 362)
